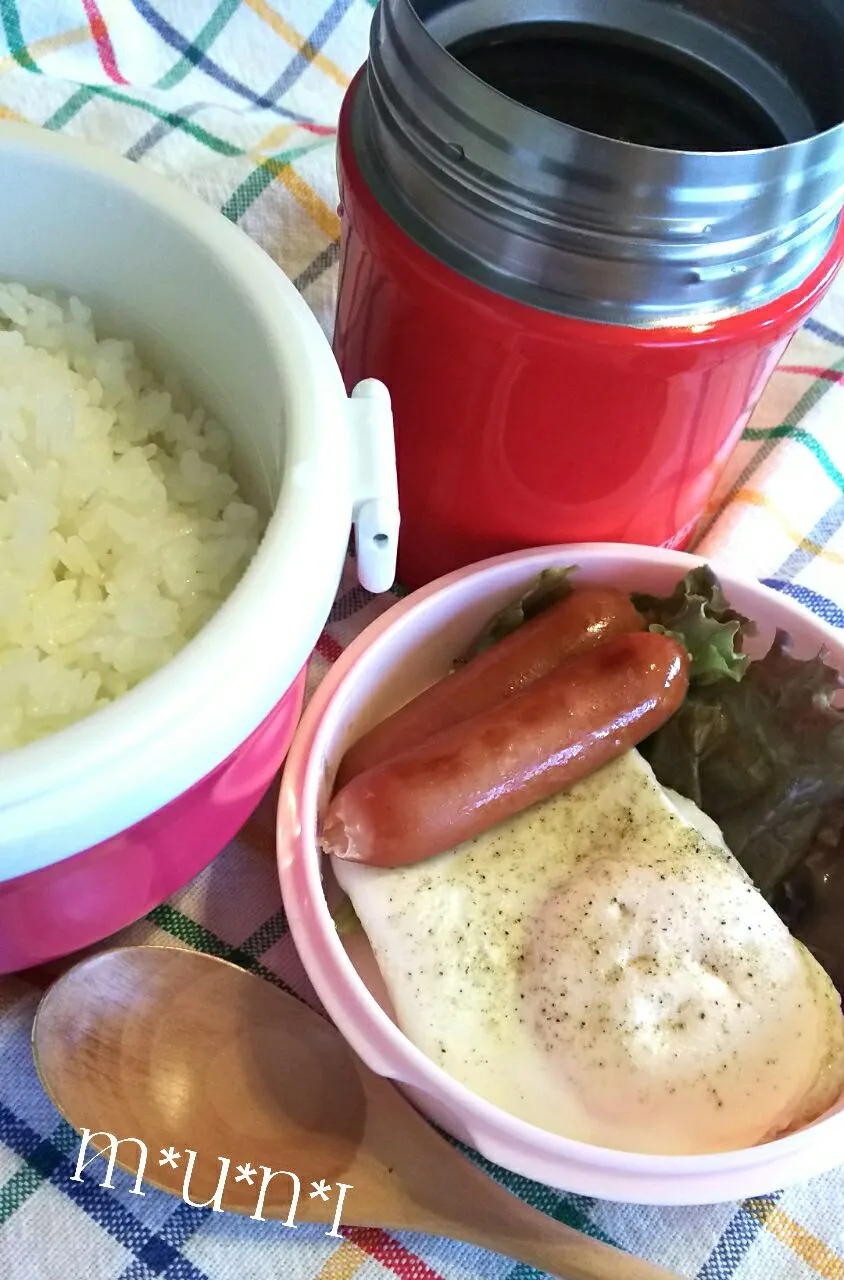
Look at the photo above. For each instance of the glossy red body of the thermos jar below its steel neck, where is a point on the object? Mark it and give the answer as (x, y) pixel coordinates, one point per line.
(518, 424)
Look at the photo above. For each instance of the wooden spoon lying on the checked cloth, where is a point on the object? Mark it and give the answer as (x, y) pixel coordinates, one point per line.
(190, 1054)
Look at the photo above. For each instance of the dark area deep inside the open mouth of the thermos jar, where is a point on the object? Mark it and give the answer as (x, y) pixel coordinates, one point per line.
(621, 86)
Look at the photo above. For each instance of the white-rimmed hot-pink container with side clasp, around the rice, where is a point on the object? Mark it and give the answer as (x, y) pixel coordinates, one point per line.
(103, 821)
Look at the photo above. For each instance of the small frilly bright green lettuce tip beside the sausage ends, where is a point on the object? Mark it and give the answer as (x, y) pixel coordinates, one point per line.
(699, 615)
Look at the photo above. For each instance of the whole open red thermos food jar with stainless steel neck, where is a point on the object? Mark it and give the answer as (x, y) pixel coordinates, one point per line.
(578, 236)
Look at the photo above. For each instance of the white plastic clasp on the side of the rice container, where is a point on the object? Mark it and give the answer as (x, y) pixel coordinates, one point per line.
(375, 486)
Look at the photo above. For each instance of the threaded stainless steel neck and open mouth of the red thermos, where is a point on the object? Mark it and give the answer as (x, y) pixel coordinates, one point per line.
(463, 129)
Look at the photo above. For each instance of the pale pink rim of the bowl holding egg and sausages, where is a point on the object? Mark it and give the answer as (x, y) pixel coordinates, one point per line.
(496, 1135)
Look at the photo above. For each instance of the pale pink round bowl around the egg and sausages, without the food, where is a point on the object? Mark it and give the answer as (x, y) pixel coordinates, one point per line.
(407, 650)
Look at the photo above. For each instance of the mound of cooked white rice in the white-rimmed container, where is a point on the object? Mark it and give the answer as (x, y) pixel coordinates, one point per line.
(122, 531)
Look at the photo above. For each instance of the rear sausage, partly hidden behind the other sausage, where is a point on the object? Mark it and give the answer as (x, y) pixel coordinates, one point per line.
(576, 624)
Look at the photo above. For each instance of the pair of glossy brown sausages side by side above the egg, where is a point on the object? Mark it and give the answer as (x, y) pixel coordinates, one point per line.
(551, 703)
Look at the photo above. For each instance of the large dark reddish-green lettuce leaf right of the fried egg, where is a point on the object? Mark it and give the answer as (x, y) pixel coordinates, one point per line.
(764, 757)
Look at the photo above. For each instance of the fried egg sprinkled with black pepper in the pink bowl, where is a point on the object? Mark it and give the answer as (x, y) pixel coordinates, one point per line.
(603, 967)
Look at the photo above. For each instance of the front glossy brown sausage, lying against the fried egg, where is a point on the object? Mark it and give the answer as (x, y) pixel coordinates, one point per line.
(471, 776)
